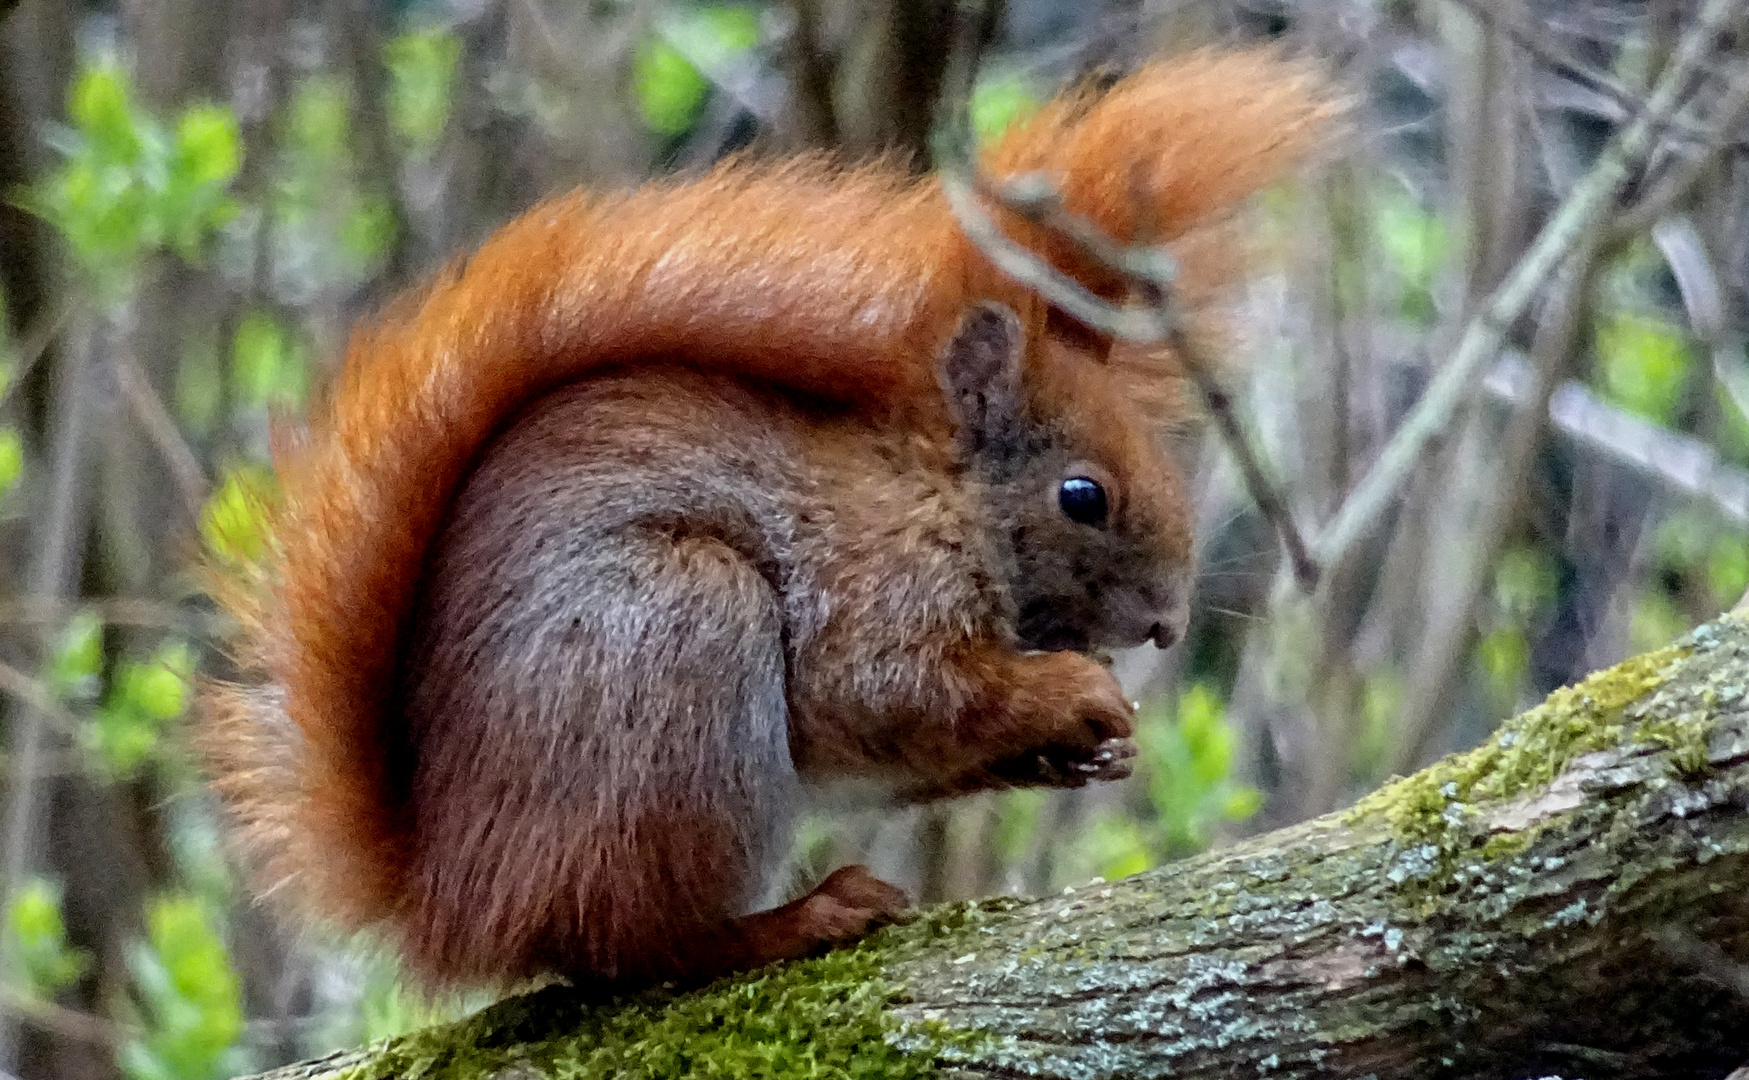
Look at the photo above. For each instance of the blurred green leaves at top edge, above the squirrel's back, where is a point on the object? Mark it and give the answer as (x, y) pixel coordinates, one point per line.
(669, 88)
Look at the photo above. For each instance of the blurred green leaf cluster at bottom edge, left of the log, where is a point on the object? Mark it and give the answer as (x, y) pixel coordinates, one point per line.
(192, 1004)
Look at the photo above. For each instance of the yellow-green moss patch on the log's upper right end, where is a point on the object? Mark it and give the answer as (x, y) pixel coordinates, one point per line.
(1531, 750)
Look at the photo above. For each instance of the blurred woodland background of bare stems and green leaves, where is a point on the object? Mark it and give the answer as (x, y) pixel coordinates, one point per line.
(199, 197)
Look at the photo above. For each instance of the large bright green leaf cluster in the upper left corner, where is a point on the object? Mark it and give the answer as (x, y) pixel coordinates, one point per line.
(130, 185)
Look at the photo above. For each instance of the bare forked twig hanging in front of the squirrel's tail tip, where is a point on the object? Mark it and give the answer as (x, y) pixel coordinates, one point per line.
(1148, 270)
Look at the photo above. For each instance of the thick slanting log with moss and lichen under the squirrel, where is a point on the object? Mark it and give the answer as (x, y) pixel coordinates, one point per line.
(1570, 899)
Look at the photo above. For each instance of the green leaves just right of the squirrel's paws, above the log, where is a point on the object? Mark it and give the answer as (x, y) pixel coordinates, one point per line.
(1188, 757)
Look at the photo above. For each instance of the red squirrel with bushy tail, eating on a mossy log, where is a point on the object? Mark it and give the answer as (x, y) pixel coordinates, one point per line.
(671, 505)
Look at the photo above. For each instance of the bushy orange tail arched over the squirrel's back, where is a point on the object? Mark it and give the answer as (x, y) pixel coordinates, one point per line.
(837, 283)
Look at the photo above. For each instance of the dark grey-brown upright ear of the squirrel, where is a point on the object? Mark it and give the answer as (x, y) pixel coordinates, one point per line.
(980, 374)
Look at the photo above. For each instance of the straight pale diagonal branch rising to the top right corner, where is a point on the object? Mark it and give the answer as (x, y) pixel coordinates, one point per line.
(1585, 209)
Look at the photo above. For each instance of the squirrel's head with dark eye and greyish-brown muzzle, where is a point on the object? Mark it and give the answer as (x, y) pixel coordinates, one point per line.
(1089, 508)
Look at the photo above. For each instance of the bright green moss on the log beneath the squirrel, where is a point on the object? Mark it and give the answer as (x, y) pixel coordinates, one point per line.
(821, 1018)
